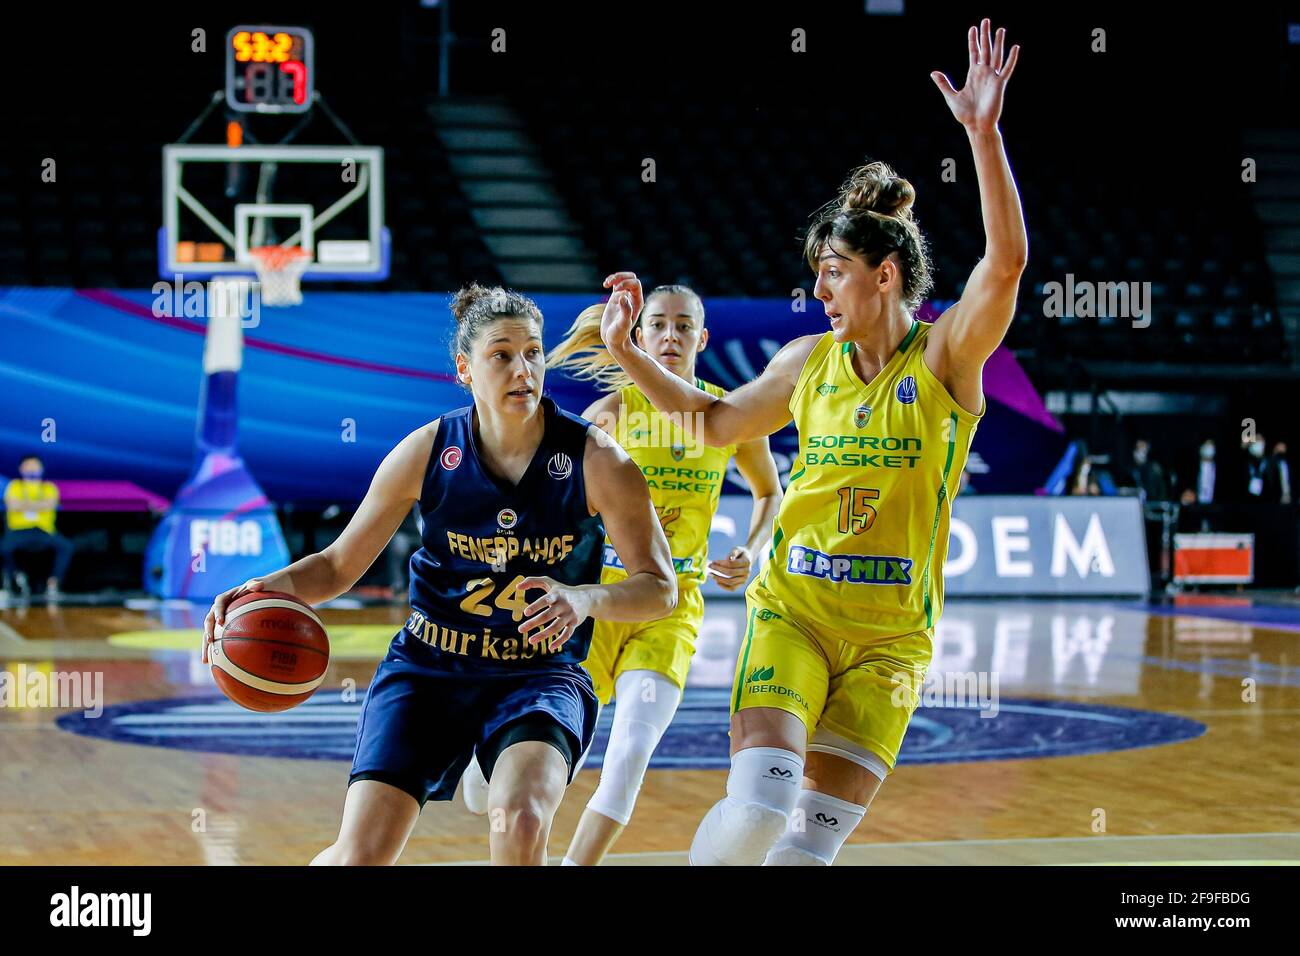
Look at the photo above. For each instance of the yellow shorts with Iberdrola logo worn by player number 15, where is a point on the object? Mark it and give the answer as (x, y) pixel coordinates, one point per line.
(864, 694)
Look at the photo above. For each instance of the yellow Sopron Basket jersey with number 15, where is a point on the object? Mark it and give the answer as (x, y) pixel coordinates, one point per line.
(860, 543)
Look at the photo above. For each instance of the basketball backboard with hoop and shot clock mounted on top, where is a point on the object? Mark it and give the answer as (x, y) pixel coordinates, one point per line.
(319, 217)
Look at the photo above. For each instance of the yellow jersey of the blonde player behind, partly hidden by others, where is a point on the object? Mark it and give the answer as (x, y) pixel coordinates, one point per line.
(686, 479)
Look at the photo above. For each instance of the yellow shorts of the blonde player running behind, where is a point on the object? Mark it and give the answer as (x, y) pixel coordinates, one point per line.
(665, 646)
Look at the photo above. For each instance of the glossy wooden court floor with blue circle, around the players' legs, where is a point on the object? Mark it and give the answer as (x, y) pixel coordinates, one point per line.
(1116, 733)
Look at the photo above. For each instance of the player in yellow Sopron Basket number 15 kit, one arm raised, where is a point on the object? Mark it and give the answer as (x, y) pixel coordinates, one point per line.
(842, 621)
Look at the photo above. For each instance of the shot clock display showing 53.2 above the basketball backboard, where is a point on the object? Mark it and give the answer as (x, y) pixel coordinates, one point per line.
(270, 70)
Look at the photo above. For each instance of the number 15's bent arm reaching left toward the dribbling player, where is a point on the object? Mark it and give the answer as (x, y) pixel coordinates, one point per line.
(752, 412)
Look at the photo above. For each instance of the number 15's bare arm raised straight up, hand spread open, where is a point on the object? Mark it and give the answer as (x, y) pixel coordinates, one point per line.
(969, 332)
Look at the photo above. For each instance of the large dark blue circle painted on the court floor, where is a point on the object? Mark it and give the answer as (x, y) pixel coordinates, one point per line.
(326, 729)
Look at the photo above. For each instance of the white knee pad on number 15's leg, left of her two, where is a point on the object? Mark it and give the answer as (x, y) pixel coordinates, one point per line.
(762, 790)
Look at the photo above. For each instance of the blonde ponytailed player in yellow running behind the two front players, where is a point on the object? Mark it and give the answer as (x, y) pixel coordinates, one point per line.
(644, 667)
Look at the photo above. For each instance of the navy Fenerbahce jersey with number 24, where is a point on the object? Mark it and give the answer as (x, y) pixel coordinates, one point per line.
(482, 538)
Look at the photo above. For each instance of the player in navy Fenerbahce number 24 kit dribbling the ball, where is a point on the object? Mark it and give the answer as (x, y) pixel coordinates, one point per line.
(515, 496)
